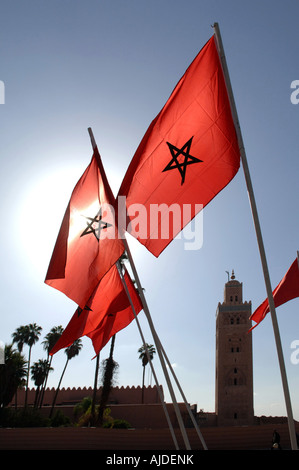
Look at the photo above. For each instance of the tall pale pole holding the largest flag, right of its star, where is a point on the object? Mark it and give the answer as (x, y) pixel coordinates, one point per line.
(259, 239)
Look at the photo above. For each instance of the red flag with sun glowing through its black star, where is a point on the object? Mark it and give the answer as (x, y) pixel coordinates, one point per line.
(88, 243)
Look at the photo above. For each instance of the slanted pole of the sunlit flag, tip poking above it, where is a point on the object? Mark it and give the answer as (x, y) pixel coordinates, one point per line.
(146, 311)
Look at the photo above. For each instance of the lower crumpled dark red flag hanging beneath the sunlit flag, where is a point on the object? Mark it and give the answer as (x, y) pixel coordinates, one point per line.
(107, 311)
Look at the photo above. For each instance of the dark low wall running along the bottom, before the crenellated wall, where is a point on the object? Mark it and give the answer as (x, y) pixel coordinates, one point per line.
(74, 438)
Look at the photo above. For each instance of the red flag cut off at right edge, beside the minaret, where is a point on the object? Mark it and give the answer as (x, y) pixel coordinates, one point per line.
(287, 289)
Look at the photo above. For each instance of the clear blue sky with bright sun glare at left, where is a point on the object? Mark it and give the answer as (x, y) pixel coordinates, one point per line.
(111, 65)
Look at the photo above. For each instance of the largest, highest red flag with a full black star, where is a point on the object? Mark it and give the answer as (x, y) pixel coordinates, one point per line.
(188, 154)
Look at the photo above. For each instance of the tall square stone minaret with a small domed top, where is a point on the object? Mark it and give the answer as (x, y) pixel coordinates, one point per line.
(234, 373)
